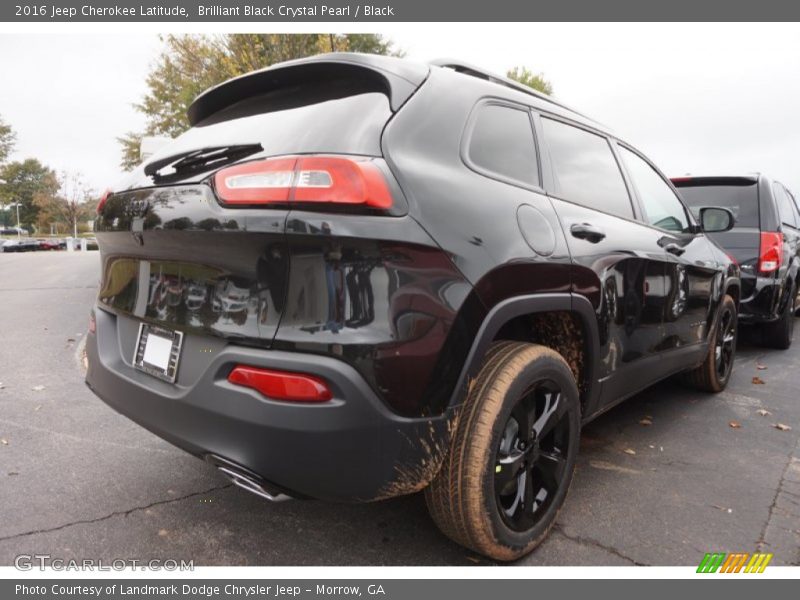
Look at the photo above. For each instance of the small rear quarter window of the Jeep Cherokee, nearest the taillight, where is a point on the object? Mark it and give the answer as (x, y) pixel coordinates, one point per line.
(501, 143)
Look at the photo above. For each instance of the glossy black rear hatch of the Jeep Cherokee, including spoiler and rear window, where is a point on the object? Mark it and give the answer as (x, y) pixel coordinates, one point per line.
(178, 255)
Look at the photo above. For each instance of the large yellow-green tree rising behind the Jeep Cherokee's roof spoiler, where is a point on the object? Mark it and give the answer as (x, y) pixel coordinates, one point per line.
(190, 64)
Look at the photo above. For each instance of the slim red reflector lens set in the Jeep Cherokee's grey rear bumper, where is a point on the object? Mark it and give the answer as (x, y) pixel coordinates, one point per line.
(281, 385)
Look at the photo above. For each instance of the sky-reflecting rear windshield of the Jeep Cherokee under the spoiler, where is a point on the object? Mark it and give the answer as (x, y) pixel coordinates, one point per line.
(298, 120)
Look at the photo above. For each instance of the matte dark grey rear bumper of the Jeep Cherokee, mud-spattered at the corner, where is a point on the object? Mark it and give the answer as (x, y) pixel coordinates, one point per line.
(352, 448)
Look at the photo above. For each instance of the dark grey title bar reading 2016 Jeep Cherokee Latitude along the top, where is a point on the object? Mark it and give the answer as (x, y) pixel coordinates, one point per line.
(383, 11)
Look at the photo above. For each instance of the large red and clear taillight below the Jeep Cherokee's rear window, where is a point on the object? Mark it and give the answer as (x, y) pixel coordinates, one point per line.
(317, 179)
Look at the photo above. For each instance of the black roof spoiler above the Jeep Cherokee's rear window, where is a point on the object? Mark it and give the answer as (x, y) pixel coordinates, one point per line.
(397, 78)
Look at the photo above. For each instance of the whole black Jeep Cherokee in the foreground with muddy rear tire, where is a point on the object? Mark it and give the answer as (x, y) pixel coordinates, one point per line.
(357, 277)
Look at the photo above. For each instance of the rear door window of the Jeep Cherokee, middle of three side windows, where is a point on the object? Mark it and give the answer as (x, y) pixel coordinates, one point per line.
(585, 168)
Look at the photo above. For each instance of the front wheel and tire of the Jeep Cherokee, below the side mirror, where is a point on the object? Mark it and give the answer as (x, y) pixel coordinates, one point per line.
(715, 372)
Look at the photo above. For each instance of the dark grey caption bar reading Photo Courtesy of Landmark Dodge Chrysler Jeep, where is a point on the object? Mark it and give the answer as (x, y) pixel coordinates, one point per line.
(732, 588)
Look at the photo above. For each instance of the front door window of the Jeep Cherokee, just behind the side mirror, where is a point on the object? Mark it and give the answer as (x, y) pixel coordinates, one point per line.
(661, 205)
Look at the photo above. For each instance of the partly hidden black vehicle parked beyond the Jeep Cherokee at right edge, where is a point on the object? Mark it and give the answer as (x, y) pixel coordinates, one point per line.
(765, 241)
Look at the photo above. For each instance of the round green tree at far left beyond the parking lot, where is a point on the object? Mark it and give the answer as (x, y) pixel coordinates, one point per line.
(24, 180)
